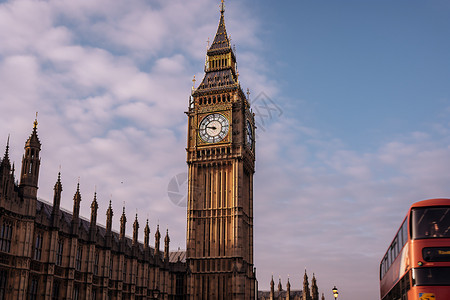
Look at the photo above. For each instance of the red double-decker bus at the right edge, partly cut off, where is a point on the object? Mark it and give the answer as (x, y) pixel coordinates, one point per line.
(416, 265)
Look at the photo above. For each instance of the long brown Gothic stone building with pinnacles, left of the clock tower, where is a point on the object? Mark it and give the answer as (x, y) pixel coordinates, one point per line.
(49, 253)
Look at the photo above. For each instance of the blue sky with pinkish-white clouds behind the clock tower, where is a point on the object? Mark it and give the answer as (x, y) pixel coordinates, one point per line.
(360, 127)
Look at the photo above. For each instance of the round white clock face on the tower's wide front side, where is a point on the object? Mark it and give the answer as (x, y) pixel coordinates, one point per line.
(213, 128)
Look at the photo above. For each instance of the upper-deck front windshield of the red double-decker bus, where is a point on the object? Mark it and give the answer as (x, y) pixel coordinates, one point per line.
(430, 222)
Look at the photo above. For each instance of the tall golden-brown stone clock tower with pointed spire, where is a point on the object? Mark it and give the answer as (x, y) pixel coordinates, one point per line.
(221, 162)
